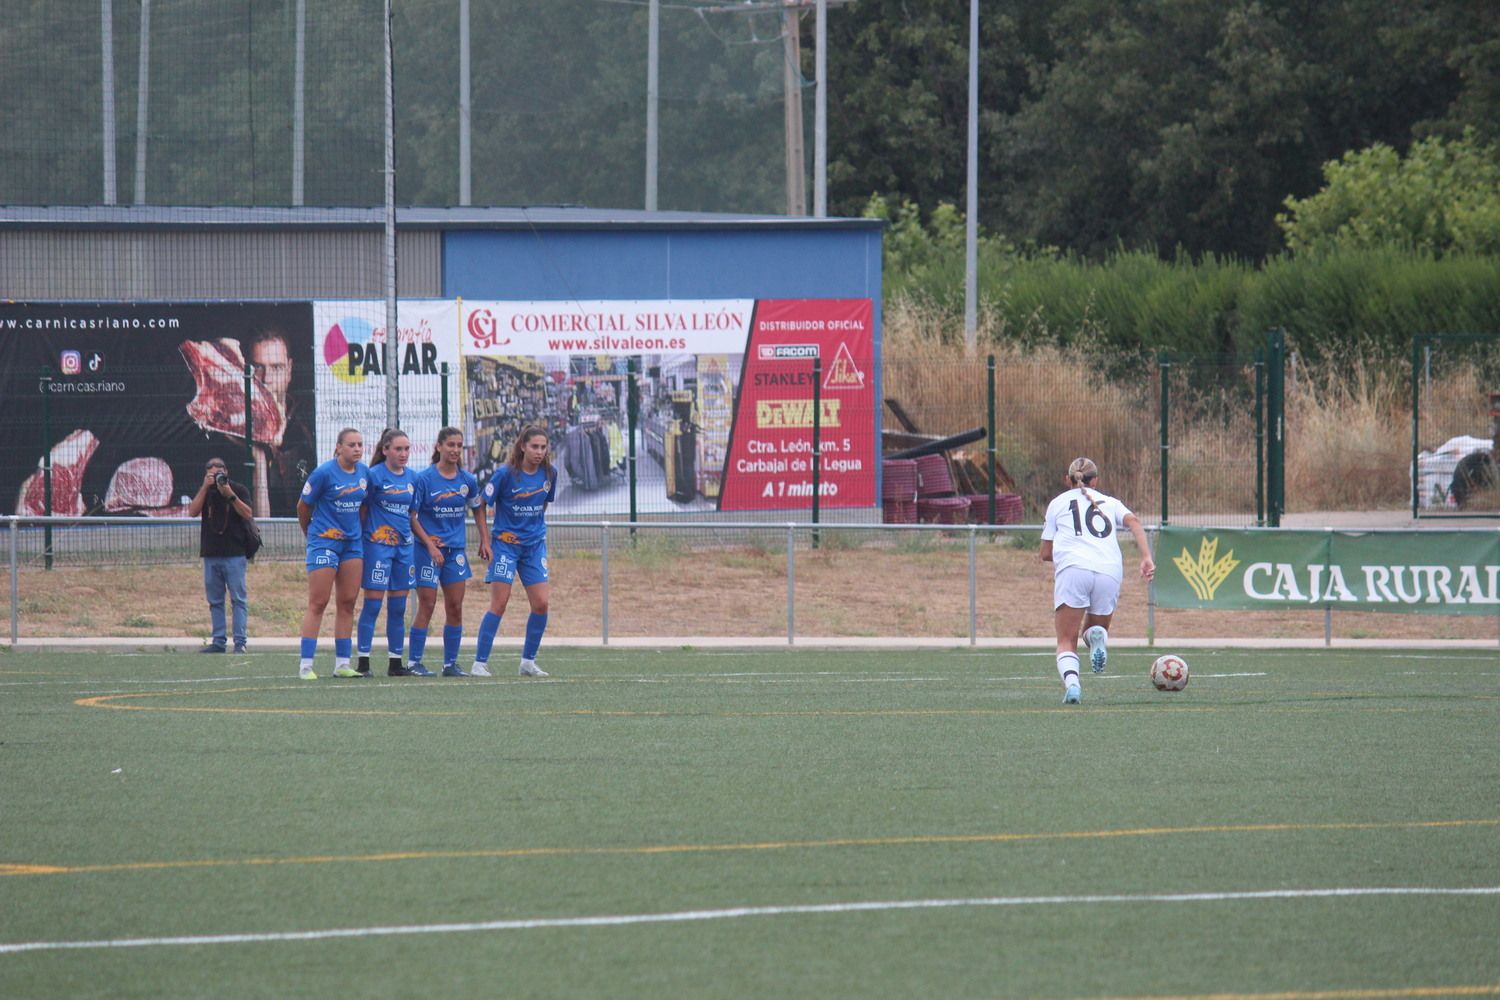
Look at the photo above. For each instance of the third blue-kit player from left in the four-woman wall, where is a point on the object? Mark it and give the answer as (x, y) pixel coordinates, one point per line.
(439, 518)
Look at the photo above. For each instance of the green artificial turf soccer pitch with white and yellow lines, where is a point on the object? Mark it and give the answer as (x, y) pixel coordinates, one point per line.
(752, 825)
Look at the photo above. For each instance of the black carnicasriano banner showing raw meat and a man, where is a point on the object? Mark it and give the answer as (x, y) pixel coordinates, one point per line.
(131, 401)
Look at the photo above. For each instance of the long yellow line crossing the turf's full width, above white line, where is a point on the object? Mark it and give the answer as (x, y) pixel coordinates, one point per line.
(20, 869)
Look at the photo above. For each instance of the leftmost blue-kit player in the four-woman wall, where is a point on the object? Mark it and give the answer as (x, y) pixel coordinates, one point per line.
(329, 513)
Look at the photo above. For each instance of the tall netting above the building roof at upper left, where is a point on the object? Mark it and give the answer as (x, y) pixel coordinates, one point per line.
(238, 103)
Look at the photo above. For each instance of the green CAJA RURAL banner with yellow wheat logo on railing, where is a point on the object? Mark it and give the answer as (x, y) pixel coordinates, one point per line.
(1420, 572)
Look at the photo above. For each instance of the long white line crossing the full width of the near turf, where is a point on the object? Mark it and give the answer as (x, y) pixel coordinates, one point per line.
(689, 917)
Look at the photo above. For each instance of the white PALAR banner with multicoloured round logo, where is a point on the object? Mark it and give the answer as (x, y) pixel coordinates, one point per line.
(350, 364)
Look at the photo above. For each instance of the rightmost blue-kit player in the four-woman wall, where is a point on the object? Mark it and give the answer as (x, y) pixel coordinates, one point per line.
(520, 493)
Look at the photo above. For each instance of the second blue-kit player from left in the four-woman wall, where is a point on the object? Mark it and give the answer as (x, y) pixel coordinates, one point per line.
(389, 572)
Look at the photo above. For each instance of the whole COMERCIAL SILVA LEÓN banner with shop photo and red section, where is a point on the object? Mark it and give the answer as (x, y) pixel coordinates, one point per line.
(727, 394)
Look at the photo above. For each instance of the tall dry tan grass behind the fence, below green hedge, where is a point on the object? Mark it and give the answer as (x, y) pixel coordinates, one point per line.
(1348, 436)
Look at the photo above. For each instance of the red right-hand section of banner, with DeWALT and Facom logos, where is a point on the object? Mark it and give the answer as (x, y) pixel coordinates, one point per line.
(770, 464)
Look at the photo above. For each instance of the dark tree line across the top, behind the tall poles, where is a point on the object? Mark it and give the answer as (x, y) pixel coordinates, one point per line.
(1160, 125)
